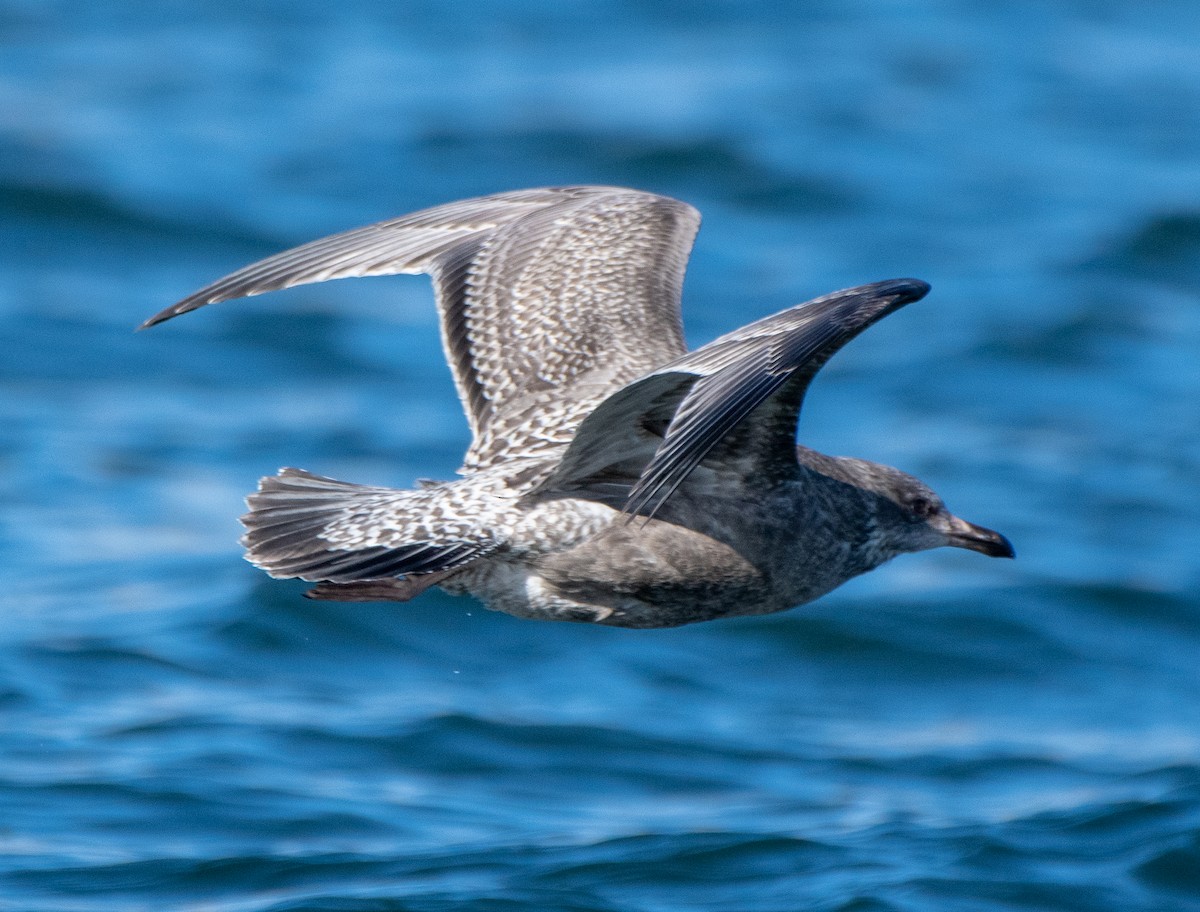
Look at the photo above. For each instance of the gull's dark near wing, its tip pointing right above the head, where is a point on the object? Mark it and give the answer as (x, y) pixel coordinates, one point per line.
(739, 398)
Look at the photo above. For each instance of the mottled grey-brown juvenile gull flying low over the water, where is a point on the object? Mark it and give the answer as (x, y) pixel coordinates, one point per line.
(614, 477)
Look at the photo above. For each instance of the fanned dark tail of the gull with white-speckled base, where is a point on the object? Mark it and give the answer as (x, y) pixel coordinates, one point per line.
(321, 530)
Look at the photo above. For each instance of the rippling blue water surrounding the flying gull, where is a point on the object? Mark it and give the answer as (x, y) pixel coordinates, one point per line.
(179, 733)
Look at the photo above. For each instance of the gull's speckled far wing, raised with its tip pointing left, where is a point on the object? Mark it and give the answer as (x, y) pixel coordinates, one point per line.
(549, 299)
